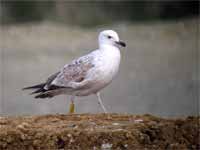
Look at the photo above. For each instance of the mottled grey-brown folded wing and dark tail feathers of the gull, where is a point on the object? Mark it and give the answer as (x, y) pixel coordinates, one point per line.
(71, 73)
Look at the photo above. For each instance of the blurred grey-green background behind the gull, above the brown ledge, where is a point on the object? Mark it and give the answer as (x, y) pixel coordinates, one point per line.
(159, 66)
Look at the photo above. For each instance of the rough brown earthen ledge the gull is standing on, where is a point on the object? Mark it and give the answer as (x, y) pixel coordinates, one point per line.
(98, 131)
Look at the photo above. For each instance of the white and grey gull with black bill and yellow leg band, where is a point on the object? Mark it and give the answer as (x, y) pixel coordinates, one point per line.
(86, 75)
